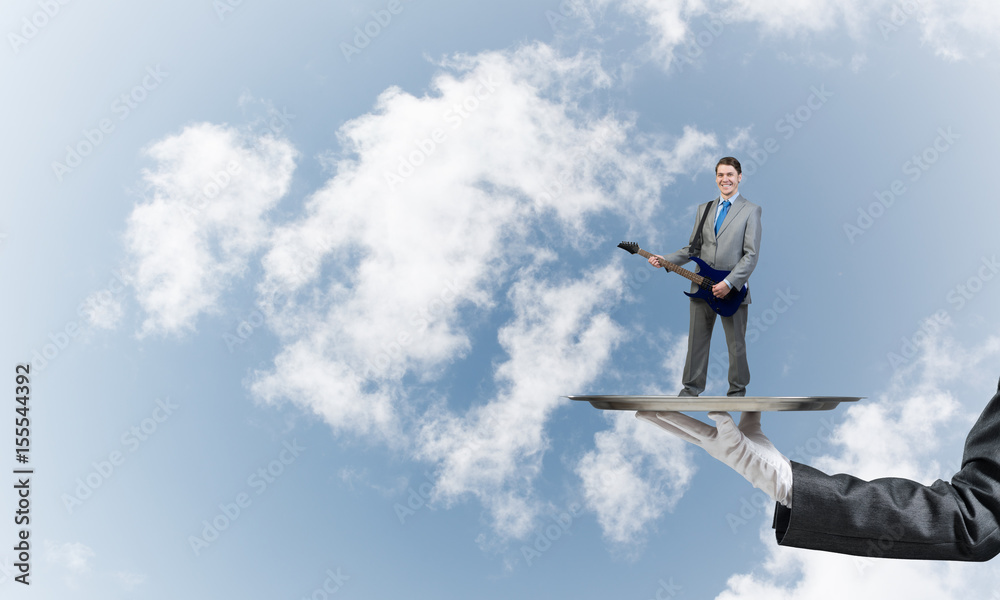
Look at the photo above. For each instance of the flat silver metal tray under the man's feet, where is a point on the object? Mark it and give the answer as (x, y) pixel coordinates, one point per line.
(713, 403)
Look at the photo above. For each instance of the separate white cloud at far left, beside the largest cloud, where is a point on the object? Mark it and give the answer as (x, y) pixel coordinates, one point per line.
(204, 216)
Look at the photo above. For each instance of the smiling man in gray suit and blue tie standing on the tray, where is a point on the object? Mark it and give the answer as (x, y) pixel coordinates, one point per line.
(726, 235)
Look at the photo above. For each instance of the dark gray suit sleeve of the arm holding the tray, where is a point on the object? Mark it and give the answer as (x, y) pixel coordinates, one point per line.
(899, 518)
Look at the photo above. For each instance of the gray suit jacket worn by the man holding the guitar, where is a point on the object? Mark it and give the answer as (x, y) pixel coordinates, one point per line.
(734, 248)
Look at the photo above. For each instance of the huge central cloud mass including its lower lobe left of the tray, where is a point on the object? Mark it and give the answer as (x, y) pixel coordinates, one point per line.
(444, 208)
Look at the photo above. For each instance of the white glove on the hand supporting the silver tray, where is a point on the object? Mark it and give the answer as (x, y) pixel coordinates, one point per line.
(745, 449)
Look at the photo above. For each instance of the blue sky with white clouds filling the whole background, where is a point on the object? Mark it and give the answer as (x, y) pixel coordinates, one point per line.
(302, 286)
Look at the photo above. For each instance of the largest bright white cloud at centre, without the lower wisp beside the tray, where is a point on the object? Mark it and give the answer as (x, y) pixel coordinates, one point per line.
(411, 231)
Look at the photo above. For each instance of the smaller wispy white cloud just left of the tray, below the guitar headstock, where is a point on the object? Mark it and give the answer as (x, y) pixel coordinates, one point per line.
(559, 339)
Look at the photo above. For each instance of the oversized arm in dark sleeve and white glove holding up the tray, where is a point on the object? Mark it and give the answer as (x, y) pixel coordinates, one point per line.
(889, 517)
